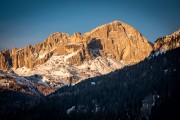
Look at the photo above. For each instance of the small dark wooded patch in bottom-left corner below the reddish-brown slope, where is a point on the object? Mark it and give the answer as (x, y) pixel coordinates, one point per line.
(11, 101)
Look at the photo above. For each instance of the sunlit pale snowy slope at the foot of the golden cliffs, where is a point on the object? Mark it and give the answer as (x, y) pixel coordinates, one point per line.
(58, 72)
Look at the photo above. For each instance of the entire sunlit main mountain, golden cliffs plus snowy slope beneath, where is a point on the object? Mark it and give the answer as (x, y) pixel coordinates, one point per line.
(63, 59)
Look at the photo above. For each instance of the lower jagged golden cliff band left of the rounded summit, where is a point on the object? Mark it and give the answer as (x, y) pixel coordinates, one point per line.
(31, 56)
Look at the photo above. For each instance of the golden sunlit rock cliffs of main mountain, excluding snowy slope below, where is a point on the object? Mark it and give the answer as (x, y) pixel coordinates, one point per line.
(120, 40)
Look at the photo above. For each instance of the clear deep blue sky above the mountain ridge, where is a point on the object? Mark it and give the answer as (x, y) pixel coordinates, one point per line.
(24, 22)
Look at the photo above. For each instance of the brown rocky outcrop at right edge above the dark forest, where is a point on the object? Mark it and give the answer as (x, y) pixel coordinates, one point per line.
(168, 42)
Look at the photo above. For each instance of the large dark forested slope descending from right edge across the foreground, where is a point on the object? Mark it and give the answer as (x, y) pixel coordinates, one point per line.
(116, 96)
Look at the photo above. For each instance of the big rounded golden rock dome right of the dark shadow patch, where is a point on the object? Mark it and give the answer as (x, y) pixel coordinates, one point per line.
(122, 41)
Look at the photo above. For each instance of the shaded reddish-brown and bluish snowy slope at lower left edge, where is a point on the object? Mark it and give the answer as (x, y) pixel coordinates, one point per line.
(27, 84)
